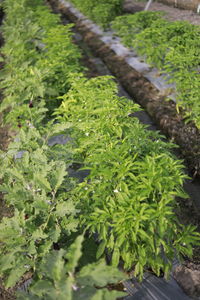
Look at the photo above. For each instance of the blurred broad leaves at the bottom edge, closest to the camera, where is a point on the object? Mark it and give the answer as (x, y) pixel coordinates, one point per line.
(59, 280)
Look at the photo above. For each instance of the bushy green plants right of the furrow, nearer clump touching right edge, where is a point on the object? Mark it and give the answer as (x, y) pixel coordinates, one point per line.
(173, 47)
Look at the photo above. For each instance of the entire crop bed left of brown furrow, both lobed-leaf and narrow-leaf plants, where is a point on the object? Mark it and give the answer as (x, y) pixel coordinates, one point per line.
(59, 229)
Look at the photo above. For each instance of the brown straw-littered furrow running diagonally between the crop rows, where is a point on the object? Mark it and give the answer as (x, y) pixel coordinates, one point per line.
(187, 136)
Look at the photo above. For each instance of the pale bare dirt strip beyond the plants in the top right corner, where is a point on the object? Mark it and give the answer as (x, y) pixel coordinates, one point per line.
(172, 13)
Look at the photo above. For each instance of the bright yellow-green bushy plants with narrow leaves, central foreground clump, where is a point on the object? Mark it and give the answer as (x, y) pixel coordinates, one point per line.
(129, 196)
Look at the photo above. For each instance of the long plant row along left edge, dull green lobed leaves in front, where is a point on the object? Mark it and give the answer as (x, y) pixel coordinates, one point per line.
(40, 60)
